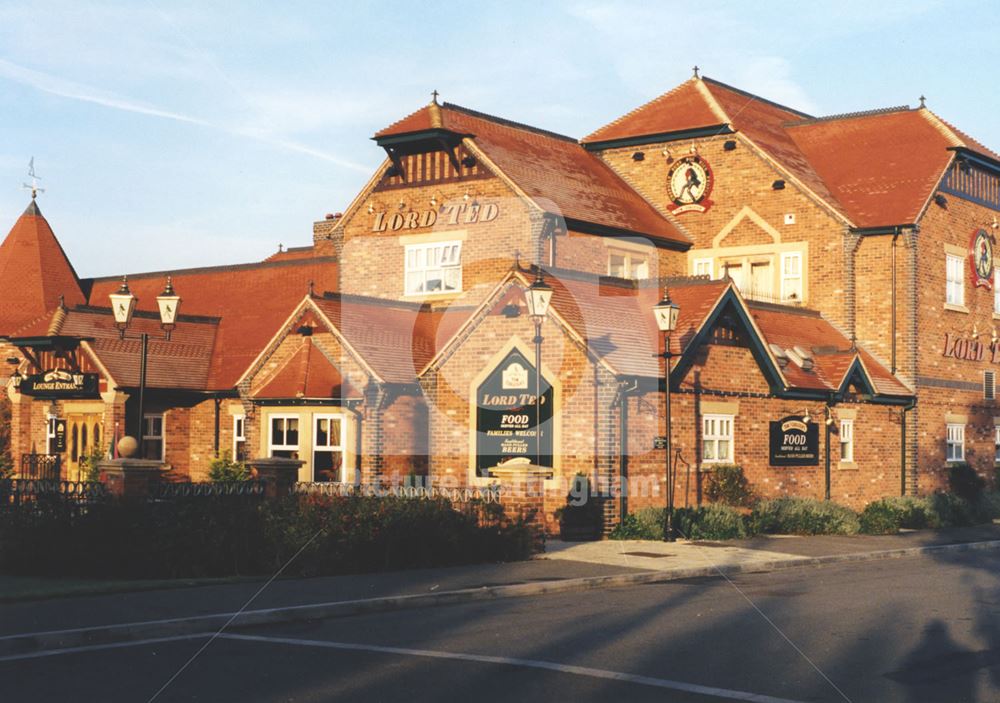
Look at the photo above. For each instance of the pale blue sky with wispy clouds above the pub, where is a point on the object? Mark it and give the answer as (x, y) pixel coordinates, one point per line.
(180, 134)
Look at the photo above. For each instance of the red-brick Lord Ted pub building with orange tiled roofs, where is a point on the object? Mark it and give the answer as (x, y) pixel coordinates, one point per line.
(835, 279)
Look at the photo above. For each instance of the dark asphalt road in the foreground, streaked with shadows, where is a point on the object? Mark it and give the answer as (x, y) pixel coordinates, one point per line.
(919, 629)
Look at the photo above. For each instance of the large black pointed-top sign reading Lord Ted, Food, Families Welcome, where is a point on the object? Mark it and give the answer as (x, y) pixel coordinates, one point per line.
(505, 417)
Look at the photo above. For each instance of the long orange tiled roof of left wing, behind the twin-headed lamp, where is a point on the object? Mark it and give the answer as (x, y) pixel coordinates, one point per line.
(252, 300)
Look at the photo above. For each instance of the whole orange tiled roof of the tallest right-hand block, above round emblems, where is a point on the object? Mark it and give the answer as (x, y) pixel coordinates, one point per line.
(876, 169)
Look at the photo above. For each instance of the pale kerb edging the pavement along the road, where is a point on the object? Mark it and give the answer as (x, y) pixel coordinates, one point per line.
(25, 643)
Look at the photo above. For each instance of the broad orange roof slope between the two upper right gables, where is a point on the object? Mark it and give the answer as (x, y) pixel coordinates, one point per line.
(881, 167)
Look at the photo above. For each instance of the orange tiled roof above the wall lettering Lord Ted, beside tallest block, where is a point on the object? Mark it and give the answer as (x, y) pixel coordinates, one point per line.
(554, 171)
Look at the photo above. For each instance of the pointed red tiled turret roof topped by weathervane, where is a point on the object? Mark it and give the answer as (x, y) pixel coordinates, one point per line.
(34, 272)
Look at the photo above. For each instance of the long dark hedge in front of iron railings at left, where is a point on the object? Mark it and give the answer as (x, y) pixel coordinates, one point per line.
(223, 536)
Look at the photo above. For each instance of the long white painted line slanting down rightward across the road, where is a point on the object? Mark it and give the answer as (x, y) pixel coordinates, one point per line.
(530, 663)
